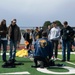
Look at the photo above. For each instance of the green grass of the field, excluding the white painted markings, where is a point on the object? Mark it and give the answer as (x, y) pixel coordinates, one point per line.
(26, 66)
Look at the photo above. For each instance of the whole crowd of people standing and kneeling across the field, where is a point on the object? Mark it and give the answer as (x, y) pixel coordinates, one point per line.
(45, 41)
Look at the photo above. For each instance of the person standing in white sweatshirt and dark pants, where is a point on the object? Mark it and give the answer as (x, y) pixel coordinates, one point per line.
(54, 37)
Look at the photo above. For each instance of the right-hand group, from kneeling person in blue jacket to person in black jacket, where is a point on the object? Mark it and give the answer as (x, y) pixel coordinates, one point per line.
(47, 46)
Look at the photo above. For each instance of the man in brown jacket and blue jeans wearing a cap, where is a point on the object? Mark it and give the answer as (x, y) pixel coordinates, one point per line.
(14, 36)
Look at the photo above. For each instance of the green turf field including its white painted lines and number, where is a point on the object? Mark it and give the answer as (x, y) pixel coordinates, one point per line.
(26, 69)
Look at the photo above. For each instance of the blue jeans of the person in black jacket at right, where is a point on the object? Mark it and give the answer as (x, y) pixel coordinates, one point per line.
(65, 44)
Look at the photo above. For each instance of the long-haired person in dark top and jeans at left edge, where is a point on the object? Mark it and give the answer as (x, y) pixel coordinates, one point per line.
(3, 38)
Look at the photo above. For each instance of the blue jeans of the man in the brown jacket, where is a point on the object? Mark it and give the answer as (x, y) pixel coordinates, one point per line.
(12, 50)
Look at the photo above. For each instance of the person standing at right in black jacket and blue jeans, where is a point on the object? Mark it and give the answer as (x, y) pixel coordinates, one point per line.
(66, 34)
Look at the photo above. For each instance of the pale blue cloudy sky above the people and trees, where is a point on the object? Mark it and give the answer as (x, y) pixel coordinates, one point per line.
(32, 13)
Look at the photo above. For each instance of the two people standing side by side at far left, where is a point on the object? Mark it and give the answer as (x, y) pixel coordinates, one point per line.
(13, 35)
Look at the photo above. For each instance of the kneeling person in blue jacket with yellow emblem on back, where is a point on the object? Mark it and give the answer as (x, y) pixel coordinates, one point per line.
(43, 50)
